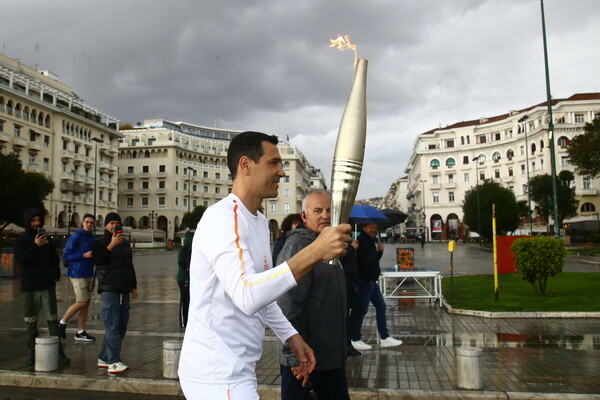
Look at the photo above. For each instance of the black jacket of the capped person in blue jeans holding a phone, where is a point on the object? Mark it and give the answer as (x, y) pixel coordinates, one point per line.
(114, 268)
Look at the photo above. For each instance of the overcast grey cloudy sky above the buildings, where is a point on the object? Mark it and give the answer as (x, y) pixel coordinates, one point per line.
(266, 64)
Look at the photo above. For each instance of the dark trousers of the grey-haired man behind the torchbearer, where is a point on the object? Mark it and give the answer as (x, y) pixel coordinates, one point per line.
(330, 384)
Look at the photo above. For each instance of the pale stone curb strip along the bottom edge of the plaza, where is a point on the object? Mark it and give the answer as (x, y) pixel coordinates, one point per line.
(266, 392)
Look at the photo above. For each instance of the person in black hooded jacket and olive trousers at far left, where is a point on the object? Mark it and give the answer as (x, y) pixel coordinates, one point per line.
(40, 270)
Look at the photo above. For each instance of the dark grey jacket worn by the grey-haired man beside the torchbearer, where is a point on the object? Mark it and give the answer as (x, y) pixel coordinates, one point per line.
(316, 307)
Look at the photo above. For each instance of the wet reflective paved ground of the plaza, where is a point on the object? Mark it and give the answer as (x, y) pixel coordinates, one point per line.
(522, 357)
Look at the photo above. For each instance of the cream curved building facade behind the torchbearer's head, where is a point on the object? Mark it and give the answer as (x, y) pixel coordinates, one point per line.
(168, 168)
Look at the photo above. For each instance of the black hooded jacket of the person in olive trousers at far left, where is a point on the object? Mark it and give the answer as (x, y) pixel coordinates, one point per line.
(40, 266)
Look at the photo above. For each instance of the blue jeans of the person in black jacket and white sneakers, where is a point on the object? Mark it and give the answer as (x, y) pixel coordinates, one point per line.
(115, 315)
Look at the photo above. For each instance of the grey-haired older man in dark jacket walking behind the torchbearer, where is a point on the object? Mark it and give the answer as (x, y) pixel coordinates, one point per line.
(317, 309)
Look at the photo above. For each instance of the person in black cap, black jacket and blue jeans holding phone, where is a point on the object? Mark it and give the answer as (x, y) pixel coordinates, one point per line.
(116, 282)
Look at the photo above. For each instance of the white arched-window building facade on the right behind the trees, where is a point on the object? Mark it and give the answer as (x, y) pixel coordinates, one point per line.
(510, 149)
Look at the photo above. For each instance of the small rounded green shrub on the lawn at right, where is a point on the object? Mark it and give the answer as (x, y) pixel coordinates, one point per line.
(539, 259)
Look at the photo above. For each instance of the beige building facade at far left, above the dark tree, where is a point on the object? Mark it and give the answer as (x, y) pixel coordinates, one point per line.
(54, 132)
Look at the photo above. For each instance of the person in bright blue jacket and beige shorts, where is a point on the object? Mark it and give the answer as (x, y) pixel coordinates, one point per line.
(77, 255)
